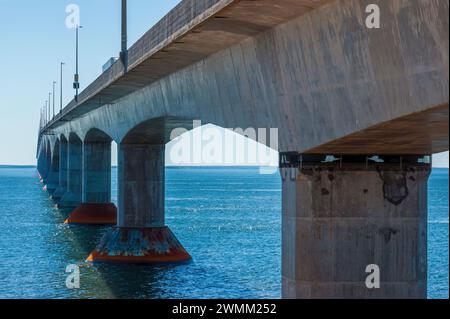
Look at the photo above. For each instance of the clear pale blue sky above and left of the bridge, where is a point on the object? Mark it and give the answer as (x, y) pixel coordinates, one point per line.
(34, 42)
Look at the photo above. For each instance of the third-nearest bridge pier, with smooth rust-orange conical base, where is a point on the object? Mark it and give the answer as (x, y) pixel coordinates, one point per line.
(96, 207)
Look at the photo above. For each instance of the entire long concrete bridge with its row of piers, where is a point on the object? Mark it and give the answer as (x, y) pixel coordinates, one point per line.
(375, 99)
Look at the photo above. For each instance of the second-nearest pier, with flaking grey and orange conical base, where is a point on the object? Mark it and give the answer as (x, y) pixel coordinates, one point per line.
(141, 235)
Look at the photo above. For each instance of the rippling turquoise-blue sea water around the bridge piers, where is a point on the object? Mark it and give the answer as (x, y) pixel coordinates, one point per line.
(227, 218)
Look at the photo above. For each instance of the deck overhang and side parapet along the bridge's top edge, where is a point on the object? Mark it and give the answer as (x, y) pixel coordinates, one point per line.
(193, 31)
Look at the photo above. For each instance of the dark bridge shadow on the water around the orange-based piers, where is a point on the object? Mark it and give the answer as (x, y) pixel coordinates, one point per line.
(106, 280)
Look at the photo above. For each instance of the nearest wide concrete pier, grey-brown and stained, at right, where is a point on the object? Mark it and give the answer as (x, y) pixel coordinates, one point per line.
(347, 221)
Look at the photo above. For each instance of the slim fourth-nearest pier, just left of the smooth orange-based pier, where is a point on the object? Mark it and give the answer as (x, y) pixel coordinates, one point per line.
(72, 197)
